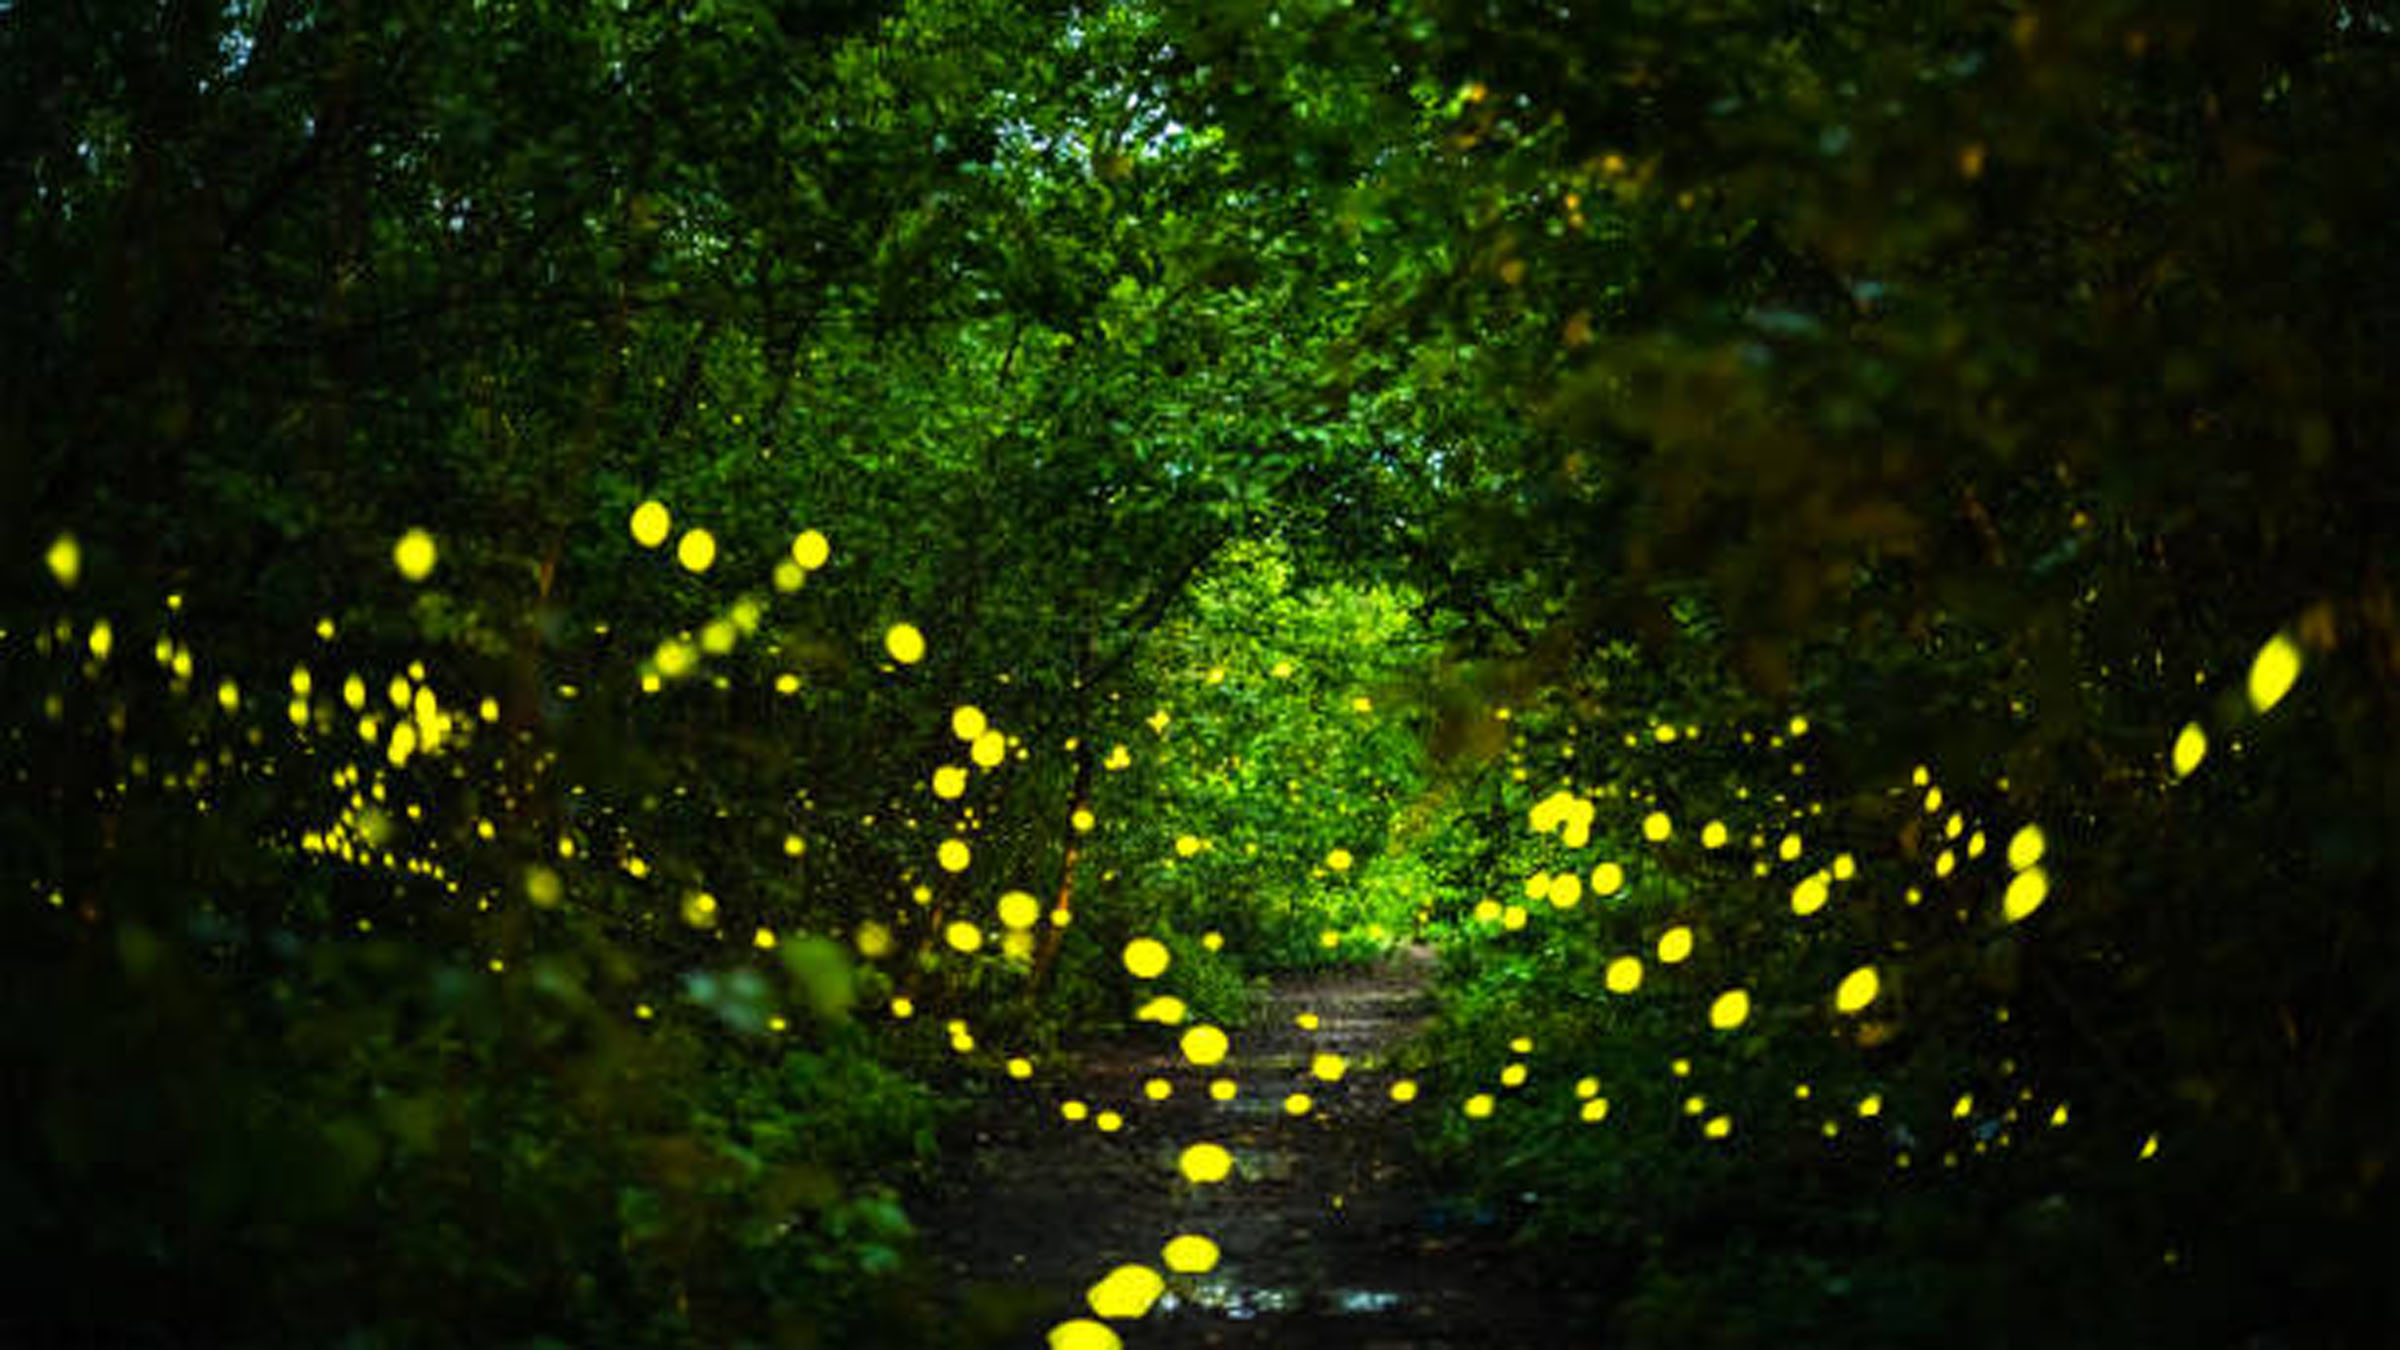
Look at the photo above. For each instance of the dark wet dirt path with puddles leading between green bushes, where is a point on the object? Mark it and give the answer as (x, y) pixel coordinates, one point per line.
(1331, 1229)
